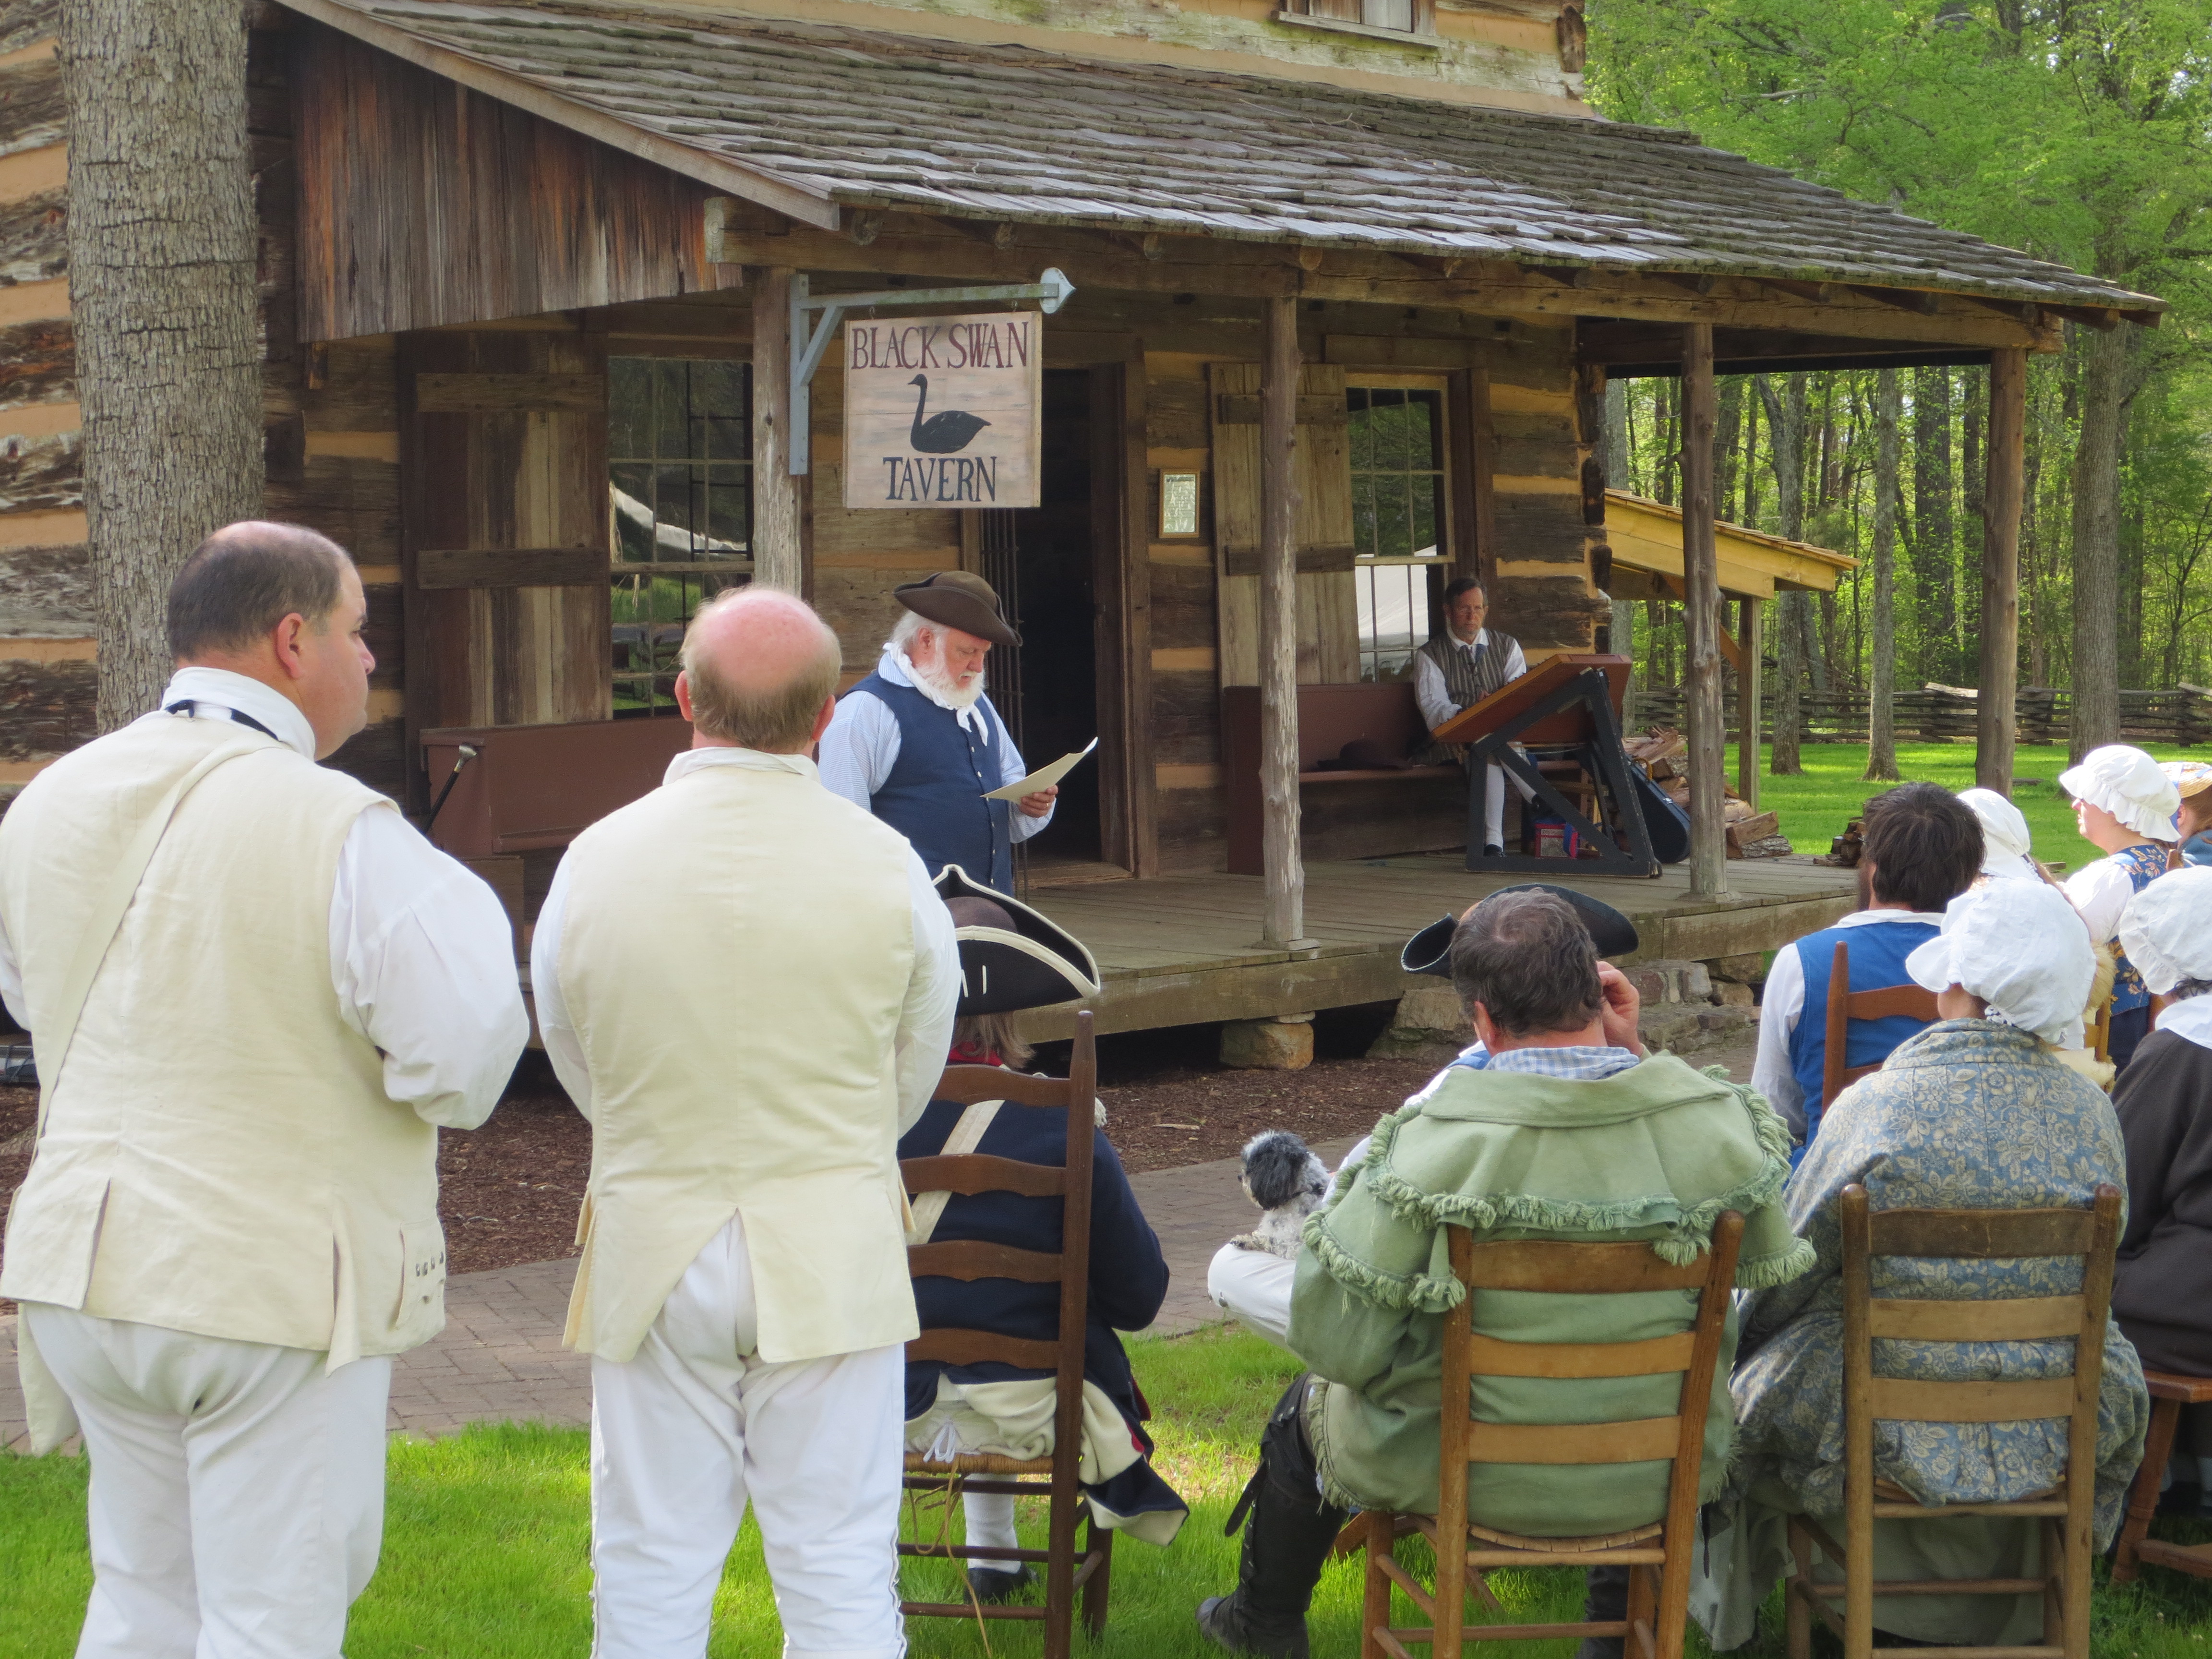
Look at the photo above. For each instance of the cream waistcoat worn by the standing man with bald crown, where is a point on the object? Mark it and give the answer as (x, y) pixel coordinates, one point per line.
(735, 954)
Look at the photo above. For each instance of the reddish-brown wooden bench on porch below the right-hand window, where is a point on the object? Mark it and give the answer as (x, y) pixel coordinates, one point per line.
(1344, 813)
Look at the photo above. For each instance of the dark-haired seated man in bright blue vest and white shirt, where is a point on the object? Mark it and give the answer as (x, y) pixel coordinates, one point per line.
(1923, 848)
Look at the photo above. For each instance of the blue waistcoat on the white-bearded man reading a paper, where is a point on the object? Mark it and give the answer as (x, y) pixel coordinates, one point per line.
(935, 793)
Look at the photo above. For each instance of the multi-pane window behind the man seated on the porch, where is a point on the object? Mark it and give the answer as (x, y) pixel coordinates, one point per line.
(1397, 521)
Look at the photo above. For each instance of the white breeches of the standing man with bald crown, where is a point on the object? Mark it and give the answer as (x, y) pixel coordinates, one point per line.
(693, 1428)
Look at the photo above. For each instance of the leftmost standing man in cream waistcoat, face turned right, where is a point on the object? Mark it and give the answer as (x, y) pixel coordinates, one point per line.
(255, 994)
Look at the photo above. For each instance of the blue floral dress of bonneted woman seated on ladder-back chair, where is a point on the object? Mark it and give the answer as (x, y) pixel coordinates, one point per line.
(1965, 1116)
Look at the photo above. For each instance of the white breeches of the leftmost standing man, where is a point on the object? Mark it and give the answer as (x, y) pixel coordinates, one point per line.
(238, 1490)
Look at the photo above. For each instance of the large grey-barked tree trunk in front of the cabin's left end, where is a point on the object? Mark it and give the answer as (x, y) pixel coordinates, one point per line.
(163, 300)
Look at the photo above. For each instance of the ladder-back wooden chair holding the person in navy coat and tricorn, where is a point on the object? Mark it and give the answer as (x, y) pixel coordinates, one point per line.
(1054, 1479)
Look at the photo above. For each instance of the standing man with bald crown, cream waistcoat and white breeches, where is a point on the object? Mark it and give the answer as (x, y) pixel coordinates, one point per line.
(747, 985)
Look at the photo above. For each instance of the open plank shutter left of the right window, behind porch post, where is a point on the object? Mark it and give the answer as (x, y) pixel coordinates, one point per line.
(1328, 601)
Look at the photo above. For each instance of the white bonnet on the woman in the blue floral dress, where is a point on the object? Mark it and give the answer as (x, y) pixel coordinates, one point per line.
(2018, 948)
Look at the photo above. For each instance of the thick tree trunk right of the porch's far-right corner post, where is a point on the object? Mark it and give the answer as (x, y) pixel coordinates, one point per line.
(2096, 545)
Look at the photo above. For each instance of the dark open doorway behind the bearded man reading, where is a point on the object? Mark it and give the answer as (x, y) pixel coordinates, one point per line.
(1058, 618)
